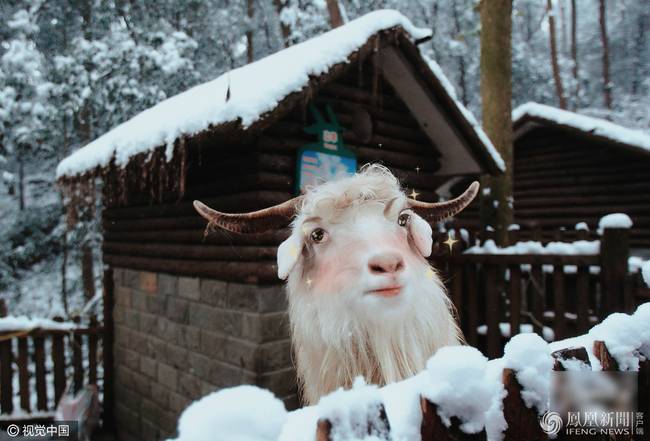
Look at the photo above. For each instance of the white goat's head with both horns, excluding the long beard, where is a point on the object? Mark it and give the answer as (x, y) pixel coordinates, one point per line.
(358, 237)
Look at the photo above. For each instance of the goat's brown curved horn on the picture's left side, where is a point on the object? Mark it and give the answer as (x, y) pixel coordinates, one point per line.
(253, 222)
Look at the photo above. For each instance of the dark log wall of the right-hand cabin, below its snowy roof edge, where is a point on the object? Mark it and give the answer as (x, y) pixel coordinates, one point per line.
(561, 179)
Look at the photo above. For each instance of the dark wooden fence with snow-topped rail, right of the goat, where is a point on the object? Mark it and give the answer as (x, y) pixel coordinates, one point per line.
(558, 290)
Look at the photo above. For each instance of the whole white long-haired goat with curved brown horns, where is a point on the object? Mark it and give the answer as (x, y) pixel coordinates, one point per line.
(362, 298)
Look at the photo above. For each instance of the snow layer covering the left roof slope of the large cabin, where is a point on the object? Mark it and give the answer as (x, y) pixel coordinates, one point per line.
(255, 89)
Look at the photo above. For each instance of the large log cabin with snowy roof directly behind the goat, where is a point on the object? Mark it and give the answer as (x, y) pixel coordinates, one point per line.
(194, 312)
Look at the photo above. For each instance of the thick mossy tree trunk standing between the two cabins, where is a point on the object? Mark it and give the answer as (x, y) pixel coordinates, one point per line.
(496, 97)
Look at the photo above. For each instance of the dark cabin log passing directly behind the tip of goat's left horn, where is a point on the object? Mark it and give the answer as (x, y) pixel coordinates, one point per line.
(240, 202)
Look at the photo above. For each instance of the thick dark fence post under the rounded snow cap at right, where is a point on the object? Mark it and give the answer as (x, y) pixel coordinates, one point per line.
(614, 253)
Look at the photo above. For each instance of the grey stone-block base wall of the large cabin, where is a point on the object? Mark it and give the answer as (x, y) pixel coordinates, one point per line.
(180, 338)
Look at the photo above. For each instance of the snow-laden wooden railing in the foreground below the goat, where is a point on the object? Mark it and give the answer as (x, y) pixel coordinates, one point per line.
(460, 396)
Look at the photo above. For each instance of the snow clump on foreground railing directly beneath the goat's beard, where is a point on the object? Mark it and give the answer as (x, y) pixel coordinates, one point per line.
(355, 414)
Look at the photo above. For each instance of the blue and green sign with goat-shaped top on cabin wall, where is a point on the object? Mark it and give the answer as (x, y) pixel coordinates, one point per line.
(326, 160)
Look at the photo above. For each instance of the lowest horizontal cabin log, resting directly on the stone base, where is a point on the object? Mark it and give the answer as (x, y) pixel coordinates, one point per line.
(241, 272)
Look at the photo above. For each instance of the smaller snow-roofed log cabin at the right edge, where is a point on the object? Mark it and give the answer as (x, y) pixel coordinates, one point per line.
(571, 168)
